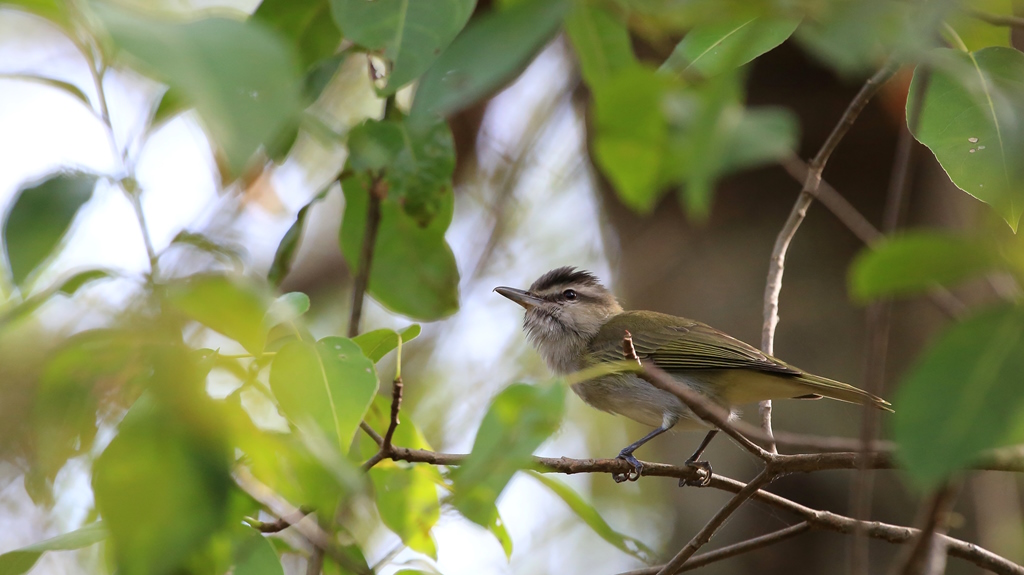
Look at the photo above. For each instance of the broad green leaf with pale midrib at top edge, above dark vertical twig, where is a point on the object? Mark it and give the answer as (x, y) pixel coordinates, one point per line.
(411, 34)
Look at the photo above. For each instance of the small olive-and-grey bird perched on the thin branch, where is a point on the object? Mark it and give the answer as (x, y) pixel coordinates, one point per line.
(575, 323)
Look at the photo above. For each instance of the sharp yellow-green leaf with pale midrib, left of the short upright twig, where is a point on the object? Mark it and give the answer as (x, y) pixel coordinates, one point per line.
(329, 384)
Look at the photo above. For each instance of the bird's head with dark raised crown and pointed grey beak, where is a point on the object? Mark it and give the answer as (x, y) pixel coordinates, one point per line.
(566, 308)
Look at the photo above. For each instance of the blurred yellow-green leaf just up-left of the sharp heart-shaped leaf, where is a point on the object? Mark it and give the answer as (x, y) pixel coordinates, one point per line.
(232, 306)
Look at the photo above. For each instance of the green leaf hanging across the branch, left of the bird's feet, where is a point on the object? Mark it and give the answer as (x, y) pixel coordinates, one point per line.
(520, 420)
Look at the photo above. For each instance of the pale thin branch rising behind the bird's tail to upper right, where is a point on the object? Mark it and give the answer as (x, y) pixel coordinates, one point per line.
(774, 286)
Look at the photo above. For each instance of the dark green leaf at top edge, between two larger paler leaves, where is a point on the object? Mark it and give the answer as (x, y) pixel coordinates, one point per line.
(307, 24)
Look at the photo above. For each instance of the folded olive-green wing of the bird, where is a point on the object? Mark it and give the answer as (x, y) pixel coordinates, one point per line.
(677, 344)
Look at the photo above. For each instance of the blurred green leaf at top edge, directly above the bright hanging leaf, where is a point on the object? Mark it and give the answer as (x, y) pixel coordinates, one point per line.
(602, 42)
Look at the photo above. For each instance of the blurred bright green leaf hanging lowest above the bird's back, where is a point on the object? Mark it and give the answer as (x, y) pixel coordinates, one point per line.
(631, 134)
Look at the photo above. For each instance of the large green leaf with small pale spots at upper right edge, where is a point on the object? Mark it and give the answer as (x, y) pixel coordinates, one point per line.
(971, 122)
